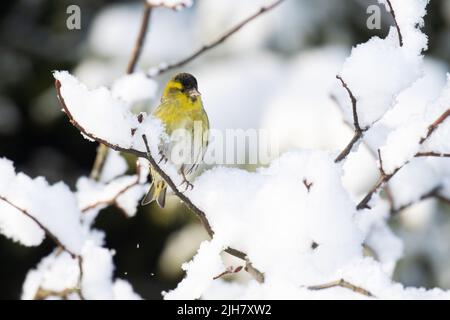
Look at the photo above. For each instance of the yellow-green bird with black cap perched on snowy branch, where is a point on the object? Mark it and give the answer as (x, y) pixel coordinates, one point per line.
(187, 125)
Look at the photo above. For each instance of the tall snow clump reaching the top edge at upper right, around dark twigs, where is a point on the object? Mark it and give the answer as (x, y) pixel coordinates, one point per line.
(378, 70)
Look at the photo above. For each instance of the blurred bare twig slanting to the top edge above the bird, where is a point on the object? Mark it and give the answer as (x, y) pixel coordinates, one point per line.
(166, 67)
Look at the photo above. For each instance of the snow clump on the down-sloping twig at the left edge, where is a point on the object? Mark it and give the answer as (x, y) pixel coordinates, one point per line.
(53, 206)
